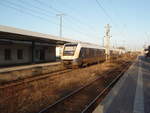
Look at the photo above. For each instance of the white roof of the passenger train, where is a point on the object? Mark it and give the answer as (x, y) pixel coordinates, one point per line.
(86, 45)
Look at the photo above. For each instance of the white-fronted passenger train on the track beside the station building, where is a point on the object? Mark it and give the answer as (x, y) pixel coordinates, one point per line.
(80, 54)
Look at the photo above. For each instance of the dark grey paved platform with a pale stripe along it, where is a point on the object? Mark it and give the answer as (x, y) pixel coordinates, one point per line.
(131, 94)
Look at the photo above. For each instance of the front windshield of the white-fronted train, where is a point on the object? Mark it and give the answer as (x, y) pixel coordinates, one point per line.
(69, 50)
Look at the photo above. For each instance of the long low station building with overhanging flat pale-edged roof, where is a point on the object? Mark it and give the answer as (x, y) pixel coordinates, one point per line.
(19, 46)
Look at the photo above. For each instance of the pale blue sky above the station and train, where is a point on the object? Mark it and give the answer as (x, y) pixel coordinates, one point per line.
(83, 20)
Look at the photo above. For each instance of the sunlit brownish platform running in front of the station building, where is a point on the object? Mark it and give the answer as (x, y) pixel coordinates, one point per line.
(10, 74)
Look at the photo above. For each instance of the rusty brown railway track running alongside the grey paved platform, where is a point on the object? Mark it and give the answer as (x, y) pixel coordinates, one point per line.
(84, 99)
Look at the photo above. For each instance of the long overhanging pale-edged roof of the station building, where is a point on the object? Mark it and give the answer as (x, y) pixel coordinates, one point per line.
(12, 33)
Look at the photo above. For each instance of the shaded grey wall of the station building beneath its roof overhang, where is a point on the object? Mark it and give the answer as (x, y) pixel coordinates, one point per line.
(49, 51)
